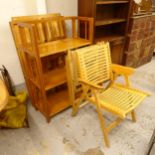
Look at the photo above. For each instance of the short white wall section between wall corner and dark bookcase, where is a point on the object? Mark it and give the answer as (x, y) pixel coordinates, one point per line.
(65, 7)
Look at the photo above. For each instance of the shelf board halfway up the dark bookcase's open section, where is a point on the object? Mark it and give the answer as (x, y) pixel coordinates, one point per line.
(109, 21)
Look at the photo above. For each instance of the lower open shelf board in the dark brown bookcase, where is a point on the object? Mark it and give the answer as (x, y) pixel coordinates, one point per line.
(109, 38)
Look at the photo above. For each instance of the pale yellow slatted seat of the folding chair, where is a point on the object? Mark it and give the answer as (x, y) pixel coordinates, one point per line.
(120, 100)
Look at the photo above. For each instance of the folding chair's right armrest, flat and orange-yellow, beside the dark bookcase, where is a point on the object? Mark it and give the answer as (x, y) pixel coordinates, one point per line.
(122, 70)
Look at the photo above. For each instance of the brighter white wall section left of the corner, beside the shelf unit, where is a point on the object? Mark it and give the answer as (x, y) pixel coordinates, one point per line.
(8, 9)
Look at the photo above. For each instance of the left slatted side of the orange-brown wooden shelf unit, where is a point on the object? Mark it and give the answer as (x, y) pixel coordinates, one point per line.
(31, 64)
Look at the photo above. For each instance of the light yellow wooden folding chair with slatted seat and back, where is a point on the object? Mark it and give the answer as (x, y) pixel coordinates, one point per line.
(91, 67)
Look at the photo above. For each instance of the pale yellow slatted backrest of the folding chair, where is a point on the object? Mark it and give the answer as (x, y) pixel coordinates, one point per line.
(94, 63)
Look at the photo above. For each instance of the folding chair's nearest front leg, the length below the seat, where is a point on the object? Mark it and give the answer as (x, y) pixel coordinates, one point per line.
(104, 130)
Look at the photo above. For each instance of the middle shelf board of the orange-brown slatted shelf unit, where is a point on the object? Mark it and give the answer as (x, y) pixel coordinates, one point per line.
(54, 78)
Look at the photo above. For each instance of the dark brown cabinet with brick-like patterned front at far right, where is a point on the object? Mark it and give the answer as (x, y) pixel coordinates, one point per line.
(140, 43)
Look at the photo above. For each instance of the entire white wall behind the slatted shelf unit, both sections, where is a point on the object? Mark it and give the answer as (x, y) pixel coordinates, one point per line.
(10, 8)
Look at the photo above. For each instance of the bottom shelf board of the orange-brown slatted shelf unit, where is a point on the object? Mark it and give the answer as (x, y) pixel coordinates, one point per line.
(58, 101)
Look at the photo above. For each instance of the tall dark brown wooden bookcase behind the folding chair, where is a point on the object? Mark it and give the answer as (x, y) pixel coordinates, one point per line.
(111, 22)
